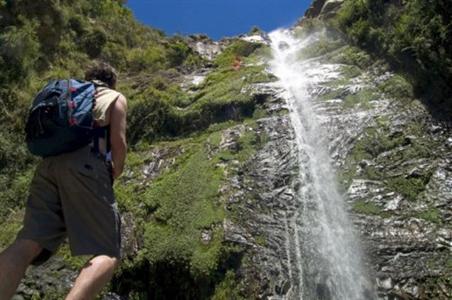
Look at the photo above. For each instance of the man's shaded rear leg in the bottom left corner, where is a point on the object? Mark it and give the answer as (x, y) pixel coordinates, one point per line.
(14, 261)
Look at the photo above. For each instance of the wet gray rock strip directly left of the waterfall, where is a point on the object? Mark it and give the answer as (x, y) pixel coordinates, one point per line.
(264, 193)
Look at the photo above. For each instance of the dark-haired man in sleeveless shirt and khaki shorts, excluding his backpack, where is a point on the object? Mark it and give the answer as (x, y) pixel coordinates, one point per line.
(71, 195)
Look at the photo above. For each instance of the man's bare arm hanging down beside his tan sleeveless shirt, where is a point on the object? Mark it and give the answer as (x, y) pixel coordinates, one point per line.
(118, 124)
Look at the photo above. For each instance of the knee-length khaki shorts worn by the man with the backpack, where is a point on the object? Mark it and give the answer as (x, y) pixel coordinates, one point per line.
(71, 195)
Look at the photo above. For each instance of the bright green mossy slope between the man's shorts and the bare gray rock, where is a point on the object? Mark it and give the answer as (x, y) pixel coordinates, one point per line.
(180, 214)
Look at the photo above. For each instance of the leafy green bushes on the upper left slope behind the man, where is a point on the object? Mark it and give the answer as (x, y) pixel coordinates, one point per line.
(57, 39)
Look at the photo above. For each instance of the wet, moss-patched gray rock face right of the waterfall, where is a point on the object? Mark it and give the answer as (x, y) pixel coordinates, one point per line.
(394, 161)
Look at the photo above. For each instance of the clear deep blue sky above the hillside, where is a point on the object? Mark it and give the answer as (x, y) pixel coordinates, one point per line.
(217, 18)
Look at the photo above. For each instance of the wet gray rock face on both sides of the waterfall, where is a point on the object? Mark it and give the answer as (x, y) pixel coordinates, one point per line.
(394, 163)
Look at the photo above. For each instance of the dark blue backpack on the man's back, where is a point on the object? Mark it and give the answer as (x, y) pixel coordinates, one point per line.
(61, 119)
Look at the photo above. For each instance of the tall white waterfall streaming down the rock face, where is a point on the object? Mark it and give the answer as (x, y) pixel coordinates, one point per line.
(329, 260)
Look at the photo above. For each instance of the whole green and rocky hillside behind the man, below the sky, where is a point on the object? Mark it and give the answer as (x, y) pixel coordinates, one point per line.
(215, 195)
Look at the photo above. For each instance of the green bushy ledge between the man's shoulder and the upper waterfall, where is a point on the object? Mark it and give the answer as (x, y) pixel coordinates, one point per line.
(163, 110)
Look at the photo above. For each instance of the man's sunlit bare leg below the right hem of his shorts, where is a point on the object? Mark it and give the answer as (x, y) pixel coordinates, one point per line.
(93, 277)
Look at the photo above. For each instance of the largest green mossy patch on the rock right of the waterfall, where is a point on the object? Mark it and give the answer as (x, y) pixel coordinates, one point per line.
(396, 147)
